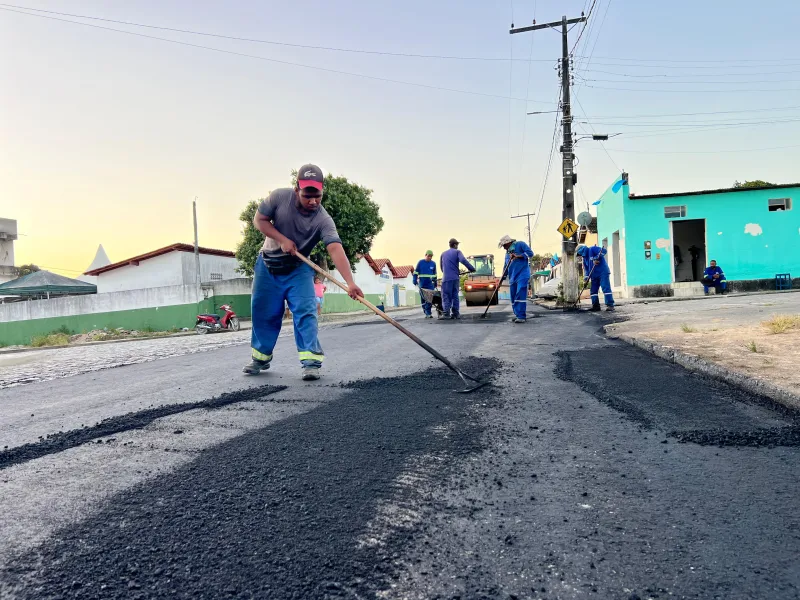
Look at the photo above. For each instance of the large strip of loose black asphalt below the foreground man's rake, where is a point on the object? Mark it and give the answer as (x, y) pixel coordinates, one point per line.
(275, 513)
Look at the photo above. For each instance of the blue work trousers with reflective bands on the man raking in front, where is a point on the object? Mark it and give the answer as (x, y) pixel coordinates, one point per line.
(270, 292)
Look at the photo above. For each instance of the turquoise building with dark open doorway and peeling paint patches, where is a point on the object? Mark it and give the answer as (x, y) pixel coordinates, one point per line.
(657, 241)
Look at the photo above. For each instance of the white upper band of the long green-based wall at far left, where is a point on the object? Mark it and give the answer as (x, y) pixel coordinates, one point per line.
(99, 303)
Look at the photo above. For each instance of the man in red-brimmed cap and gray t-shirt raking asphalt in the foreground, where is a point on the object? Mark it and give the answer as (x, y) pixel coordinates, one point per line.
(293, 221)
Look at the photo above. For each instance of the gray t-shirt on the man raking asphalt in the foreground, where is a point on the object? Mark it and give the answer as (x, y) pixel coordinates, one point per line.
(304, 230)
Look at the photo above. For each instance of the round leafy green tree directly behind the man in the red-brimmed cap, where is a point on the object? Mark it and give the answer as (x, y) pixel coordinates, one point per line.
(349, 204)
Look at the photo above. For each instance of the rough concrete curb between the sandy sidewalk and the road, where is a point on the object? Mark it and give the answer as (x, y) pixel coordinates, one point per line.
(700, 365)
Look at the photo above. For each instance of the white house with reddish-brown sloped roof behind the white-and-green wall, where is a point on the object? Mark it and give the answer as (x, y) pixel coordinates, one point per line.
(171, 265)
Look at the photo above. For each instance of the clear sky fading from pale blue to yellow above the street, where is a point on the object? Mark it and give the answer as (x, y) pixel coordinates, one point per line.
(107, 137)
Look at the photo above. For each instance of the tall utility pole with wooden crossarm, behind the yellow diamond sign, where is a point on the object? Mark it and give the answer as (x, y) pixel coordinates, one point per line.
(570, 275)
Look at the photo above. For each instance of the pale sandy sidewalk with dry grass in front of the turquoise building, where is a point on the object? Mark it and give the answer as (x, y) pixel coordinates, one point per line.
(728, 337)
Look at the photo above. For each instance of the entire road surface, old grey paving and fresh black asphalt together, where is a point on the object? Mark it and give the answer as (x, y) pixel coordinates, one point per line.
(589, 470)
